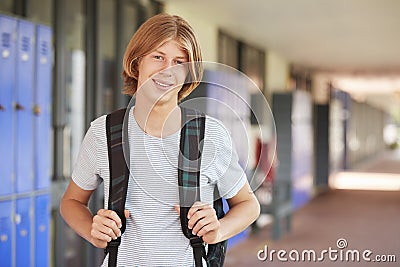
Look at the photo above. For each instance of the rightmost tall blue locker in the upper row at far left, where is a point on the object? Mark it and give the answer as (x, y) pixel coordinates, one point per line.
(42, 108)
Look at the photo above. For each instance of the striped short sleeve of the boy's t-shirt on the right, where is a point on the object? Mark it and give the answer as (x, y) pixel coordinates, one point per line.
(222, 166)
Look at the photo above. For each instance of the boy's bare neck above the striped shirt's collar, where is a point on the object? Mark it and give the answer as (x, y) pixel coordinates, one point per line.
(160, 119)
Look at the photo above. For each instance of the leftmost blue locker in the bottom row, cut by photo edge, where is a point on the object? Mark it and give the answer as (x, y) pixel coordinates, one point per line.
(5, 233)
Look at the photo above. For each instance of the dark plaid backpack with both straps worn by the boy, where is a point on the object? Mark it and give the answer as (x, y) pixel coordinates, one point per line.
(192, 135)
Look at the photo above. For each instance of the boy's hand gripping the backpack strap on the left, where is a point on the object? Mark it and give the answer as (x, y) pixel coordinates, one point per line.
(106, 227)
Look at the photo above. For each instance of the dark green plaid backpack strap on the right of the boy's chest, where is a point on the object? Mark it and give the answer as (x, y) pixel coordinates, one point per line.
(192, 135)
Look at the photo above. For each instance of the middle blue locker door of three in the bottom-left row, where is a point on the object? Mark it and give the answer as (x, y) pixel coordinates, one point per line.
(23, 232)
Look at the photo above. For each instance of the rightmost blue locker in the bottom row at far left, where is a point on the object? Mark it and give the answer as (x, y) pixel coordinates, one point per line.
(42, 233)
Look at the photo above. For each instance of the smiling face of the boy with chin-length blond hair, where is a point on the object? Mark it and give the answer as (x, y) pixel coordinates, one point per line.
(162, 72)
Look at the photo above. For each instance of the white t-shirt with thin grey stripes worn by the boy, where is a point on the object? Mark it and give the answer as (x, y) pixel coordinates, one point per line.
(153, 235)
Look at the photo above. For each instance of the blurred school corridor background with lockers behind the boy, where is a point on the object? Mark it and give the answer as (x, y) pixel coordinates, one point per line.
(329, 70)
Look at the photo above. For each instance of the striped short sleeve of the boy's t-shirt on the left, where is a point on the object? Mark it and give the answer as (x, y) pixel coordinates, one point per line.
(85, 172)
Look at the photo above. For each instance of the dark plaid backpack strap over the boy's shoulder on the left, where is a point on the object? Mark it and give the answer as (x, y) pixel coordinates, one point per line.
(119, 175)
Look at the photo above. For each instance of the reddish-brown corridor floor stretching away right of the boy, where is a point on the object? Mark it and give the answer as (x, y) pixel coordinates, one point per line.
(348, 224)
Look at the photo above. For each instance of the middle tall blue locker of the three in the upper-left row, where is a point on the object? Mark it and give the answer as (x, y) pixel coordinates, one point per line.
(24, 104)
